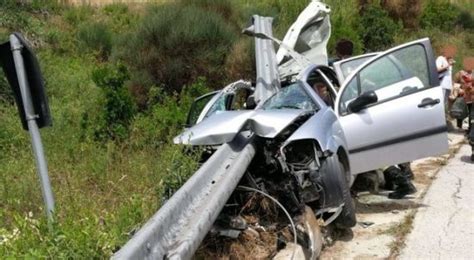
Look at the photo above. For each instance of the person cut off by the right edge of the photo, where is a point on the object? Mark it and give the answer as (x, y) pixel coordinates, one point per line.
(466, 77)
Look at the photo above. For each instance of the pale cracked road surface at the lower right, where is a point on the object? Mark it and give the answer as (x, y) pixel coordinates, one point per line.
(444, 227)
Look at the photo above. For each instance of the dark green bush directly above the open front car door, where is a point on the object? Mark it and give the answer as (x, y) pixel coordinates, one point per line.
(377, 28)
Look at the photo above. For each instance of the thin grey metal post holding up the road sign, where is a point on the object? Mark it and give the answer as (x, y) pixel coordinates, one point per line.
(33, 128)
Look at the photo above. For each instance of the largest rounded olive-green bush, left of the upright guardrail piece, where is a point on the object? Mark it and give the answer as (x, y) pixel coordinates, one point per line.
(174, 45)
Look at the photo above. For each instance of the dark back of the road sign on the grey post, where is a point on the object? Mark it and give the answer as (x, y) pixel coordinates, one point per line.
(34, 80)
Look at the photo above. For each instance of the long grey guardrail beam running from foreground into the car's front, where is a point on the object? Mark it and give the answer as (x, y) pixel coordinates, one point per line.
(177, 229)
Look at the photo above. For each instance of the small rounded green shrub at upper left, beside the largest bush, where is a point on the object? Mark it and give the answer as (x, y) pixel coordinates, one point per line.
(97, 37)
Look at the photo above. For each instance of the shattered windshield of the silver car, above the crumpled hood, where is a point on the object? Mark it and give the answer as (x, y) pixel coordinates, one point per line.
(290, 97)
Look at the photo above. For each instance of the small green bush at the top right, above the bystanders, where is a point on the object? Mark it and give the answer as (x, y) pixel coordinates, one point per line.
(439, 14)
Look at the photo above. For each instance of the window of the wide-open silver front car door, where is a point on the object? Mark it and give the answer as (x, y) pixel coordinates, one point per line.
(398, 73)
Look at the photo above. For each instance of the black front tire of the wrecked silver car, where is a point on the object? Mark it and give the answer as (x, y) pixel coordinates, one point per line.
(347, 217)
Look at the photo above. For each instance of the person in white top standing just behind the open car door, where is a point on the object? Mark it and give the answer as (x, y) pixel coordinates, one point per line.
(444, 64)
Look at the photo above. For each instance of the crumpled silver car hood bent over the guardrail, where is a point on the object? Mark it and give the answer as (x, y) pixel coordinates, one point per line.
(223, 127)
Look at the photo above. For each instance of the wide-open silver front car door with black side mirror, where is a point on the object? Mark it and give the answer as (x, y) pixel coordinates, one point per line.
(391, 108)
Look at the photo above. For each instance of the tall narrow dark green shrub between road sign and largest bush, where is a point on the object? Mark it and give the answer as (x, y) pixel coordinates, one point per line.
(118, 109)
